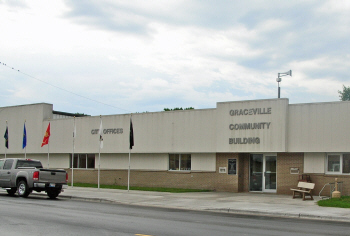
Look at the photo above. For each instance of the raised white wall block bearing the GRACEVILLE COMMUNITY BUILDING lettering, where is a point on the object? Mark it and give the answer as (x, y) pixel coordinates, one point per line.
(271, 113)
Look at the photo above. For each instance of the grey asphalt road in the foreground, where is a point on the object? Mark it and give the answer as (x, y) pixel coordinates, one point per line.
(37, 215)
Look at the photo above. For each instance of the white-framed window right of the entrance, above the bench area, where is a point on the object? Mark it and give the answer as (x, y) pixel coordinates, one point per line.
(338, 163)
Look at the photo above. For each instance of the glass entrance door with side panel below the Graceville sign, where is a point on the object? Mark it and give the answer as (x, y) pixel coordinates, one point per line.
(262, 173)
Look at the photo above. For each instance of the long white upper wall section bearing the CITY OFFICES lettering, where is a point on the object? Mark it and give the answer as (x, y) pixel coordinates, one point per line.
(159, 132)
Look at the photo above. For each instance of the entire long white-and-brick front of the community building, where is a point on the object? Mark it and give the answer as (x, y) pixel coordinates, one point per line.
(241, 146)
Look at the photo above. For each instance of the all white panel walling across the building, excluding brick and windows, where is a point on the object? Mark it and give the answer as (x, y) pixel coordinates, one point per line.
(314, 129)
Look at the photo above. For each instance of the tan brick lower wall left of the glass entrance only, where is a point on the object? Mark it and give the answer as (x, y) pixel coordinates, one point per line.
(192, 180)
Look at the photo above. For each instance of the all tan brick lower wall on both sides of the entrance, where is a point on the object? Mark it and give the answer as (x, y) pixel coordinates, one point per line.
(214, 180)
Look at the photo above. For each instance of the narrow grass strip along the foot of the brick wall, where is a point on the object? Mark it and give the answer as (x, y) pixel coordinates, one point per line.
(170, 190)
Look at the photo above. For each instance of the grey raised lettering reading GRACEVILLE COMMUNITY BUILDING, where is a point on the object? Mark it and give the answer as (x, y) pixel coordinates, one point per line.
(249, 126)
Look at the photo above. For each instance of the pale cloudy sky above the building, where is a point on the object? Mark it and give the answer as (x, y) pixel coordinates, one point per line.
(116, 57)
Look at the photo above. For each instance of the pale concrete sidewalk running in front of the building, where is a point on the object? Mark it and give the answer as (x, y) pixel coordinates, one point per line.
(239, 203)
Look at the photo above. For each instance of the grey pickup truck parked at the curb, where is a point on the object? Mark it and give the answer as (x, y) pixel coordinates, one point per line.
(25, 175)
